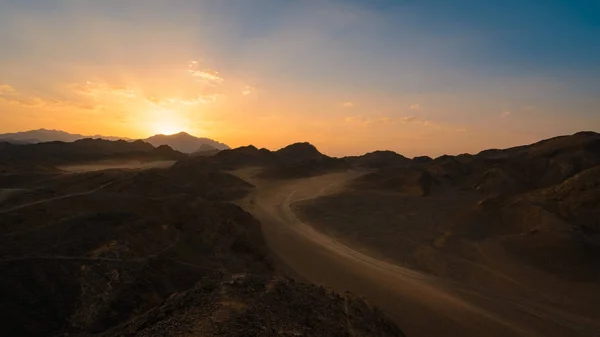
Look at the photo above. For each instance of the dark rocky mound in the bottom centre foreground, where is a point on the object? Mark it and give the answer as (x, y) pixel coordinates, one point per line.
(256, 306)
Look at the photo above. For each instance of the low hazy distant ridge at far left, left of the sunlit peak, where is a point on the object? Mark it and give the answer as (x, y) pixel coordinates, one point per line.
(44, 135)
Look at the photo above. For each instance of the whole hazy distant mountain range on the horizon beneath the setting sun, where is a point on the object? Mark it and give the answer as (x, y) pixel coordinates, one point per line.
(182, 142)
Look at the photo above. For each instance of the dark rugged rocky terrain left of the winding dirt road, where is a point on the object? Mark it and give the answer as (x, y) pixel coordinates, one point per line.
(151, 253)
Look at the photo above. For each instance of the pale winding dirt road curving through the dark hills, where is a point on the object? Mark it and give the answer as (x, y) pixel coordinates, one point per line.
(420, 304)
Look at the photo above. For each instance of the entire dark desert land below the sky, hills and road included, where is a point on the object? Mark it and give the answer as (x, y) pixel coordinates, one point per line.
(199, 248)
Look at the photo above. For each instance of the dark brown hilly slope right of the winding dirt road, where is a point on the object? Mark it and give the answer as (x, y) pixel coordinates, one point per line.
(507, 221)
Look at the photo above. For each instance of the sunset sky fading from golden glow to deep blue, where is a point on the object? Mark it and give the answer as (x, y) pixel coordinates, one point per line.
(419, 77)
